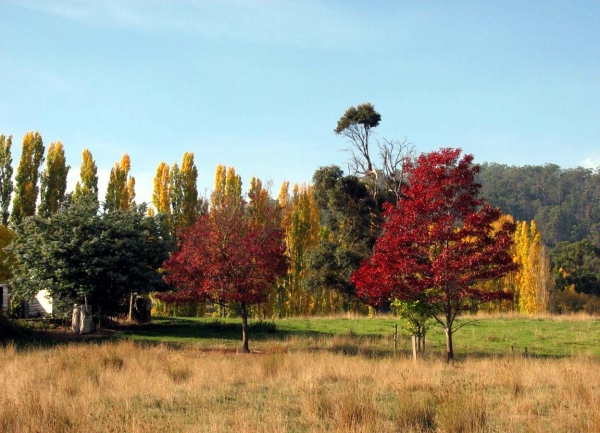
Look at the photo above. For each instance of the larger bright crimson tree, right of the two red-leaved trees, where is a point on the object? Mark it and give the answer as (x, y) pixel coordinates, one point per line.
(439, 242)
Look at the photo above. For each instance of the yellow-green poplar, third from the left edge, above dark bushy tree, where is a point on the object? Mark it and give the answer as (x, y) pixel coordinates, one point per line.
(53, 180)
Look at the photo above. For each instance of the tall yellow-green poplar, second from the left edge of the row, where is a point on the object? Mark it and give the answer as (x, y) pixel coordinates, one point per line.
(26, 180)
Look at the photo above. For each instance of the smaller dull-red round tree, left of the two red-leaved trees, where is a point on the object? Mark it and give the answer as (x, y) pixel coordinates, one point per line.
(228, 256)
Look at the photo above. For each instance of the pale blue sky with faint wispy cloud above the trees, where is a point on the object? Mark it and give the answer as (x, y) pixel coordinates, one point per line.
(260, 85)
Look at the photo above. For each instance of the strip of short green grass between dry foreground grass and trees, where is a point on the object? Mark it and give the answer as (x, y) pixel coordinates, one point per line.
(547, 336)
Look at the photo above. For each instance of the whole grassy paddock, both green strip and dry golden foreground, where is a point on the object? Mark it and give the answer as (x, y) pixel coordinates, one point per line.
(308, 375)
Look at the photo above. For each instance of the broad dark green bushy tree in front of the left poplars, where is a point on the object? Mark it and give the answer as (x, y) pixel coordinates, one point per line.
(77, 253)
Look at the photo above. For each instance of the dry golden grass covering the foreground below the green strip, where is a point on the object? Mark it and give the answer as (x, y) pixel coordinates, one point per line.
(127, 387)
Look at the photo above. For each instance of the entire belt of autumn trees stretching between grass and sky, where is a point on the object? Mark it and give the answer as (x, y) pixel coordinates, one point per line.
(397, 231)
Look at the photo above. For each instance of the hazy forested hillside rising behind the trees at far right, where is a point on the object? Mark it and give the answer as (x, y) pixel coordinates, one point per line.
(565, 203)
